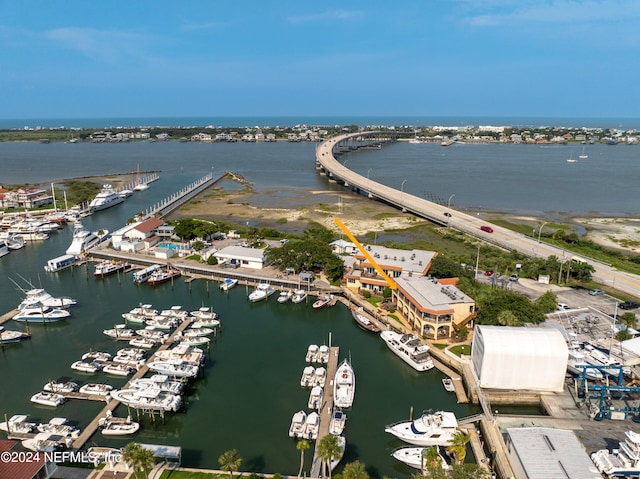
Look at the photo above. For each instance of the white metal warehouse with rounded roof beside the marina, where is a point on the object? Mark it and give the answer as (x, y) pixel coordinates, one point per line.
(519, 358)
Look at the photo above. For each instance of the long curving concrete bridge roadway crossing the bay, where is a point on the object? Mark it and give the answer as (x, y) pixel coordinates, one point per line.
(469, 224)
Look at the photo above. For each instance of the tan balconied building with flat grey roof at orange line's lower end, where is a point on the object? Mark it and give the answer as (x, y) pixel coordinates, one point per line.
(433, 308)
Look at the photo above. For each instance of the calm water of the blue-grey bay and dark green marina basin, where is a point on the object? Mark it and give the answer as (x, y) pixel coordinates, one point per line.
(250, 390)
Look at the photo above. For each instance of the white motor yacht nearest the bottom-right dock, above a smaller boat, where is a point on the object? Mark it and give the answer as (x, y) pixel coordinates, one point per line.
(430, 429)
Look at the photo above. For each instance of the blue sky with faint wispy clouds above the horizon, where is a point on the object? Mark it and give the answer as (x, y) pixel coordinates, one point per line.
(541, 58)
